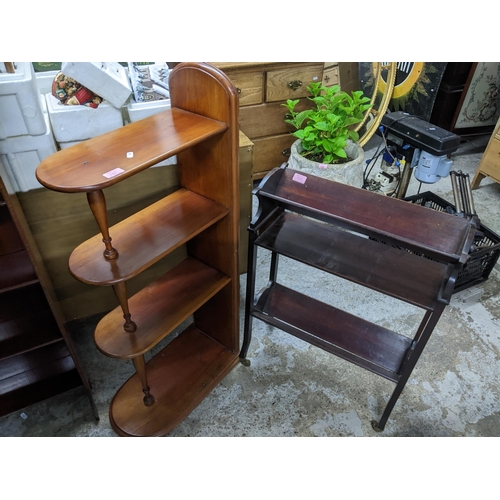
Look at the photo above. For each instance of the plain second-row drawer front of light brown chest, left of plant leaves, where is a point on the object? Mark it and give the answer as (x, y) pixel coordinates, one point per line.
(267, 119)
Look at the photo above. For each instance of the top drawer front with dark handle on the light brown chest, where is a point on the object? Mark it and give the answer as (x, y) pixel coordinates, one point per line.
(279, 82)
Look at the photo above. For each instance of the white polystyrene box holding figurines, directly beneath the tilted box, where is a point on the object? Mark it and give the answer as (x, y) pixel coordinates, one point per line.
(78, 123)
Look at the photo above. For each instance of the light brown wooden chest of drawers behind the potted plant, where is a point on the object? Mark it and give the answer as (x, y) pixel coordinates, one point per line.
(262, 88)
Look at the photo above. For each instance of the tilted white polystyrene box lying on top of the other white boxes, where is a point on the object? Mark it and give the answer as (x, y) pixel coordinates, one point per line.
(108, 80)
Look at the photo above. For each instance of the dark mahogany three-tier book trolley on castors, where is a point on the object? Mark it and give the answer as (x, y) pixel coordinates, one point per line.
(397, 248)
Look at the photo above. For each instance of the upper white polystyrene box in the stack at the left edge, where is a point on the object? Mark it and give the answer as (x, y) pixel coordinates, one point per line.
(21, 111)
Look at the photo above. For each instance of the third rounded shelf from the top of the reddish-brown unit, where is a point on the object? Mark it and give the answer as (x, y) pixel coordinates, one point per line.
(159, 308)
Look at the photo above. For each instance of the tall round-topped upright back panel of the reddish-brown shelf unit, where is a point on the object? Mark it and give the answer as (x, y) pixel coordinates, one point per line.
(211, 170)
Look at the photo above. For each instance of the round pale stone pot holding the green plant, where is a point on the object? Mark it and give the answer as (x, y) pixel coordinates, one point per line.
(350, 173)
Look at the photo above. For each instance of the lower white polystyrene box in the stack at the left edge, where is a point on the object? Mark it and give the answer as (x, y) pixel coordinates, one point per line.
(21, 156)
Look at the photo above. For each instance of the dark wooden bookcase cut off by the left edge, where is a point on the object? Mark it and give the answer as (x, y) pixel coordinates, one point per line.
(37, 358)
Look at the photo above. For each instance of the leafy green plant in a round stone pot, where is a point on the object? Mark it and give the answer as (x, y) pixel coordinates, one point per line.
(326, 141)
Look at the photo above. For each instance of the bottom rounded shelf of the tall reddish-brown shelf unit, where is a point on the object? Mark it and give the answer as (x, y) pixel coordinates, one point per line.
(180, 377)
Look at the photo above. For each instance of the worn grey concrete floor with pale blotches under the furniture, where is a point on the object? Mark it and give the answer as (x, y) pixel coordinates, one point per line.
(294, 389)
